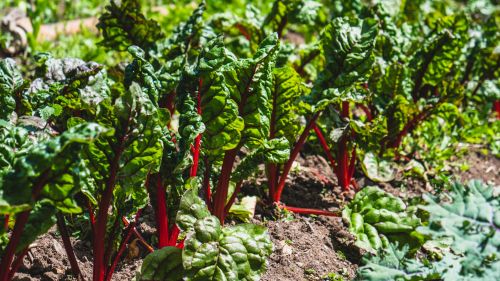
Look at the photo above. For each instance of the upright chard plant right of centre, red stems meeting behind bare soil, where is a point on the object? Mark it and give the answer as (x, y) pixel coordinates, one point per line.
(347, 46)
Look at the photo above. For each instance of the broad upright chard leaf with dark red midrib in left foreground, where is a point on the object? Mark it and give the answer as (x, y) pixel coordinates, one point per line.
(133, 151)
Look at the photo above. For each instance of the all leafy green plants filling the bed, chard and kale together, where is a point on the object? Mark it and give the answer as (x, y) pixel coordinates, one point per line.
(206, 99)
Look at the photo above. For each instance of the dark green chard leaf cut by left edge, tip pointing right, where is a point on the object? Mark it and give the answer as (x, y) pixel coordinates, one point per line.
(57, 159)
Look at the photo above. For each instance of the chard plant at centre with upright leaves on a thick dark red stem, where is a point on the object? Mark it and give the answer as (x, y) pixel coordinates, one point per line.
(234, 97)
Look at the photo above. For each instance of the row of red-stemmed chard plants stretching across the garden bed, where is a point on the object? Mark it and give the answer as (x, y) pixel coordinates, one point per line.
(194, 114)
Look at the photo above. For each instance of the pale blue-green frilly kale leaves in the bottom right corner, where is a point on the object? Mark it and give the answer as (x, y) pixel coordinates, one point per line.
(470, 220)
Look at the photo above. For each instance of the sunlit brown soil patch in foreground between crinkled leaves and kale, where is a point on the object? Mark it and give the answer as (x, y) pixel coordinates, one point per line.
(305, 249)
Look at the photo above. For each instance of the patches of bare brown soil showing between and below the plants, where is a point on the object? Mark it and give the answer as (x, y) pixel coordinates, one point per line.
(305, 247)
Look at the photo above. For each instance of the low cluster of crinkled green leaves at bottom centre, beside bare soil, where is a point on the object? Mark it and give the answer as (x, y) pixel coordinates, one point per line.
(211, 252)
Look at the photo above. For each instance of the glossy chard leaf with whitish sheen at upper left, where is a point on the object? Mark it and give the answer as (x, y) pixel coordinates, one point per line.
(66, 86)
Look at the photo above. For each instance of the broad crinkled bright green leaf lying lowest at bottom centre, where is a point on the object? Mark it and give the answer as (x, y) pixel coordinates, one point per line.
(213, 253)
